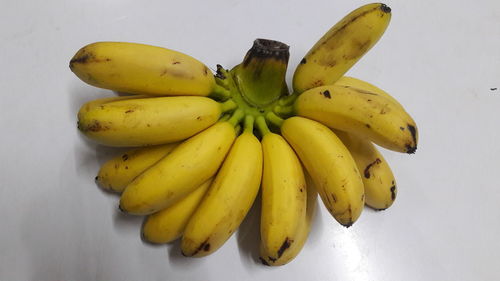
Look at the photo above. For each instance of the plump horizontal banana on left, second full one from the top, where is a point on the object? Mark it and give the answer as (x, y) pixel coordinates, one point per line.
(132, 121)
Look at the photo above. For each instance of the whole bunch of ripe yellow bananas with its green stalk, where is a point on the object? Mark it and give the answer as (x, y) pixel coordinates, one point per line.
(205, 143)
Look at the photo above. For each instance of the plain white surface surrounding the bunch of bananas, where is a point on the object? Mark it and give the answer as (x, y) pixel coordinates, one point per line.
(441, 59)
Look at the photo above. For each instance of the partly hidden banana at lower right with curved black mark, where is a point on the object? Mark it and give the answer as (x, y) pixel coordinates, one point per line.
(378, 179)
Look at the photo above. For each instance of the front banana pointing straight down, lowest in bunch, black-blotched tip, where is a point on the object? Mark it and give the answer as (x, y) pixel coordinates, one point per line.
(283, 196)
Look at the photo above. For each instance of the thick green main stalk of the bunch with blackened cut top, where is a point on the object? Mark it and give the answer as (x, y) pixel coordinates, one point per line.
(260, 78)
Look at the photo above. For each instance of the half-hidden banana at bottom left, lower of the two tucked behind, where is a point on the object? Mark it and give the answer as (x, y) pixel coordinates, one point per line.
(168, 224)
